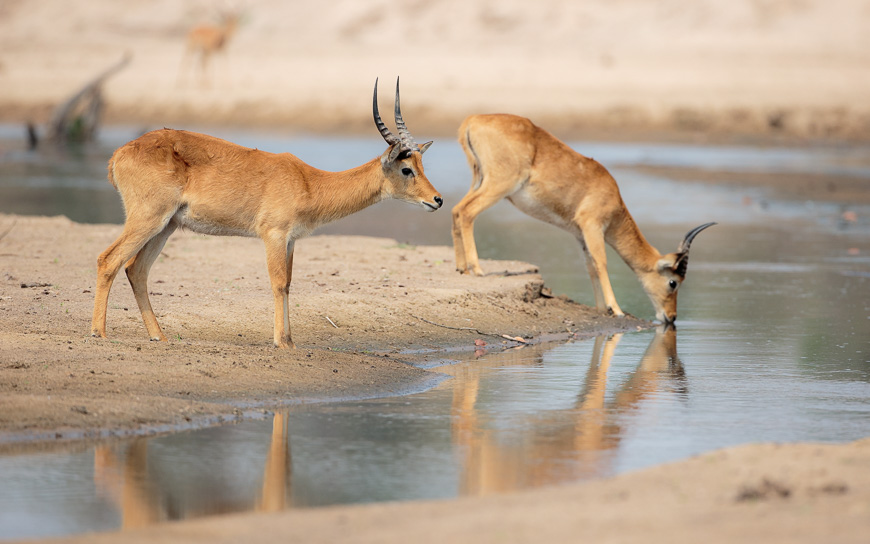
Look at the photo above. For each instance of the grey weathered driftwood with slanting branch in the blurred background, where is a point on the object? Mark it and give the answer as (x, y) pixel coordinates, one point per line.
(78, 118)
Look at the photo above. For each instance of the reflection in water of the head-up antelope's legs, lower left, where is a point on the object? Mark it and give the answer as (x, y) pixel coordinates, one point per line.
(122, 475)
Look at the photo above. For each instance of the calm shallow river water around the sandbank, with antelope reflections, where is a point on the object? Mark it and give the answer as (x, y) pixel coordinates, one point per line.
(773, 345)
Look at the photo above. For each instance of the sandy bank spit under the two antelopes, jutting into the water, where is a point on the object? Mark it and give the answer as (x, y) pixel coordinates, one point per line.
(213, 301)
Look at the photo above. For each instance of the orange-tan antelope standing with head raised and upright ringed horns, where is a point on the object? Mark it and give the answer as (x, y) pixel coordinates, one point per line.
(172, 178)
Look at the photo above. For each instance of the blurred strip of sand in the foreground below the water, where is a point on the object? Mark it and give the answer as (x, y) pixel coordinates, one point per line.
(757, 493)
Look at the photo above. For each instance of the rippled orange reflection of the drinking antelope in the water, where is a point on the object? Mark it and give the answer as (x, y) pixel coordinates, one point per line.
(560, 445)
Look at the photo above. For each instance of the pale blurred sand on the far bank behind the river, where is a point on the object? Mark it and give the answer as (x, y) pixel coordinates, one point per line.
(795, 68)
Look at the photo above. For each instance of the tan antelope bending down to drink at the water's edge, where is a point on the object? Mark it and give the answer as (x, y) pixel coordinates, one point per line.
(512, 158)
